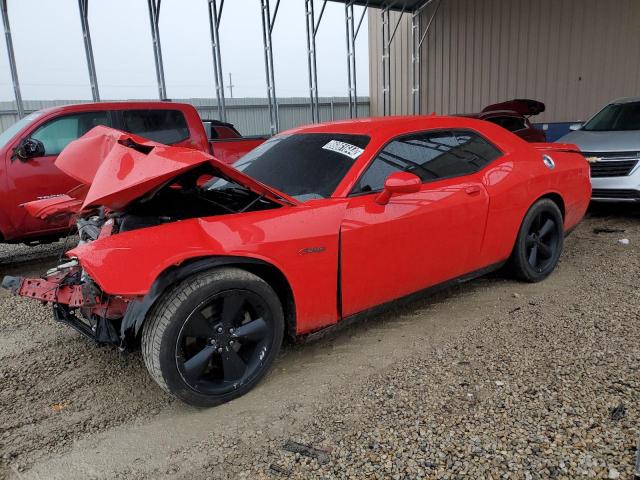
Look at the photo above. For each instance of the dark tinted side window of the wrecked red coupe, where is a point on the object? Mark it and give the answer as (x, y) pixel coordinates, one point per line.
(431, 156)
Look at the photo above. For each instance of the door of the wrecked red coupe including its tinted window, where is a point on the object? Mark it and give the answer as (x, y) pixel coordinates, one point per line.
(420, 239)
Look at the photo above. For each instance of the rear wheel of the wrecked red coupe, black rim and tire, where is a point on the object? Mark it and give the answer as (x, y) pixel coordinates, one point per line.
(539, 243)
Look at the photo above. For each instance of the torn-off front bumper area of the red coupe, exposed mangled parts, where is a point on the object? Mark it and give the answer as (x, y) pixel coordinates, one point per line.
(70, 293)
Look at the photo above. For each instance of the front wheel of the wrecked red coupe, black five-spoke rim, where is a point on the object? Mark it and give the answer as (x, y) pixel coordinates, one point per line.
(214, 336)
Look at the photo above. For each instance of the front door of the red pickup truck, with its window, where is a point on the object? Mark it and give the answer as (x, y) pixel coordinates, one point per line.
(38, 177)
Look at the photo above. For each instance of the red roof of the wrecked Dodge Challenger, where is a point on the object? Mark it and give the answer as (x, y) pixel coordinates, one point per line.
(386, 126)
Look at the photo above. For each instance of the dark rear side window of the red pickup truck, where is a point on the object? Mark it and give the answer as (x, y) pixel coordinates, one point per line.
(163, 126)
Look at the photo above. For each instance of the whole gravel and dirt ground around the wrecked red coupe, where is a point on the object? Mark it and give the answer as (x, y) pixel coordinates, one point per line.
(495, 379)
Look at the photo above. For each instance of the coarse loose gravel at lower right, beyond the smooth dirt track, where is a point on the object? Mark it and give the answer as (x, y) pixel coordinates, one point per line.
(548, 390)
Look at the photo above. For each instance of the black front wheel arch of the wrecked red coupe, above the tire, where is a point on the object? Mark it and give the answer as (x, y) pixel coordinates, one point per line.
(137, 311)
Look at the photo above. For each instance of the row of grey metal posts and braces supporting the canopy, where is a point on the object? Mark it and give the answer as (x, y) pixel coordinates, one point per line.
(215, 7)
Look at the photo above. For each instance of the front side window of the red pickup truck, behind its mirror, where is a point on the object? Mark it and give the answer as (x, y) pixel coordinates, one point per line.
(58, 133)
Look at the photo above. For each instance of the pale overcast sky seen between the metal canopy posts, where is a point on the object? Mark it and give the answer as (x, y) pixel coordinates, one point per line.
(49, 50)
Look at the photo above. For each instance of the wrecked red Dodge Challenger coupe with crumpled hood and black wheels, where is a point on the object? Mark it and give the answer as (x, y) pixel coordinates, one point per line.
(208, 267)
